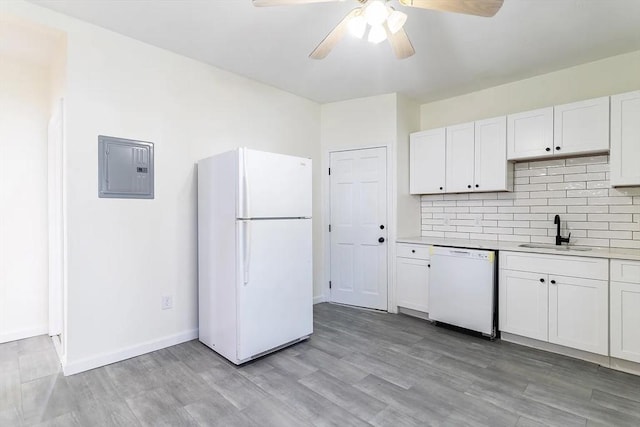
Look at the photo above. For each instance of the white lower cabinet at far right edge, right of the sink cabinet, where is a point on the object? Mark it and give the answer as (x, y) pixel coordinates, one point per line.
(625, 310)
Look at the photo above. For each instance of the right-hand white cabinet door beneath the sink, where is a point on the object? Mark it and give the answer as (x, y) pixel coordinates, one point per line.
(579, 313)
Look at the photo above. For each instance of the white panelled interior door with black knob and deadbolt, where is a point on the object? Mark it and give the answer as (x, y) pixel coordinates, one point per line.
(359, 227)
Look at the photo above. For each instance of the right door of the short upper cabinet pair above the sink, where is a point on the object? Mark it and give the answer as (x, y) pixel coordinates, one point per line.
(582, 127)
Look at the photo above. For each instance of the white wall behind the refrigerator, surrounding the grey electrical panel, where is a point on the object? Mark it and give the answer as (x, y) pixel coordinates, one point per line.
(123, 255)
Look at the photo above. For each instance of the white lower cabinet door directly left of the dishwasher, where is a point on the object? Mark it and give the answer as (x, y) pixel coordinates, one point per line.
(412, 283)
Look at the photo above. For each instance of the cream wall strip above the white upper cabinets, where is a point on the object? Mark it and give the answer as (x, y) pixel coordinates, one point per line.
(608, 76)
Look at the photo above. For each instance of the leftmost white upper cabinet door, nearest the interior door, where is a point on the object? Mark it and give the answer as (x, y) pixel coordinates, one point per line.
(427, 162)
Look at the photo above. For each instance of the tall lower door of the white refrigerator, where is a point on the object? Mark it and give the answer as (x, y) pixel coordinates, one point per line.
(275, 286)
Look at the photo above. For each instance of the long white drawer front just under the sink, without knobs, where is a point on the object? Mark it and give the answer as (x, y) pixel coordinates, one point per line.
(589, 268)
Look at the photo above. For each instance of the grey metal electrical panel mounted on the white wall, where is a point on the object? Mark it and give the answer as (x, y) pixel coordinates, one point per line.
(125, 168)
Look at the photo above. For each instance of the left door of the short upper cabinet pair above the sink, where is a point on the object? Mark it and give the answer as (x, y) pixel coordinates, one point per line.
(530, 134)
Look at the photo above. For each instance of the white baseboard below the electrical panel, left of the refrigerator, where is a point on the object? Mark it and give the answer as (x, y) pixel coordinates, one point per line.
(97, 361)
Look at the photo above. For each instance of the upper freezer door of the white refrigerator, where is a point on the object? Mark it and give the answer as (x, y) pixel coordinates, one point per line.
(273, 185)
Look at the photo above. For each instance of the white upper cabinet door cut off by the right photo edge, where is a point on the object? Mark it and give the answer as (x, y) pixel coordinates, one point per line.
(625, 139)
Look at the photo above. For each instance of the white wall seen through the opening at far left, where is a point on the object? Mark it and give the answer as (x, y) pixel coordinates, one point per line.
(24, 114)
